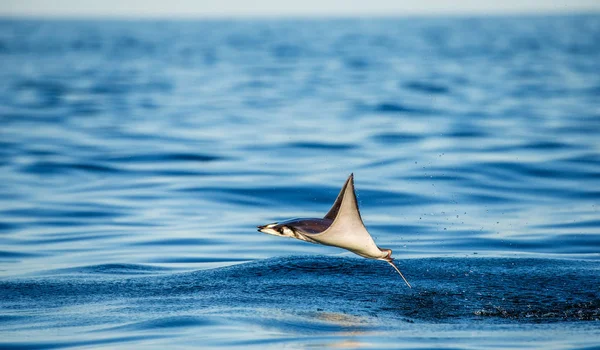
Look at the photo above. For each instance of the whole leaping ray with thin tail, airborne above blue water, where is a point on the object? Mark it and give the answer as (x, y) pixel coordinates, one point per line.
(341, 227)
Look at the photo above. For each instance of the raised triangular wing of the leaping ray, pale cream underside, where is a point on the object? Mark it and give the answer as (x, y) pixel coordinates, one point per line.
(347, 230)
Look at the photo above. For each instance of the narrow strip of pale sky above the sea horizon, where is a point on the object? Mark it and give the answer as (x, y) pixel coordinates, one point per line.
(275, 8)
